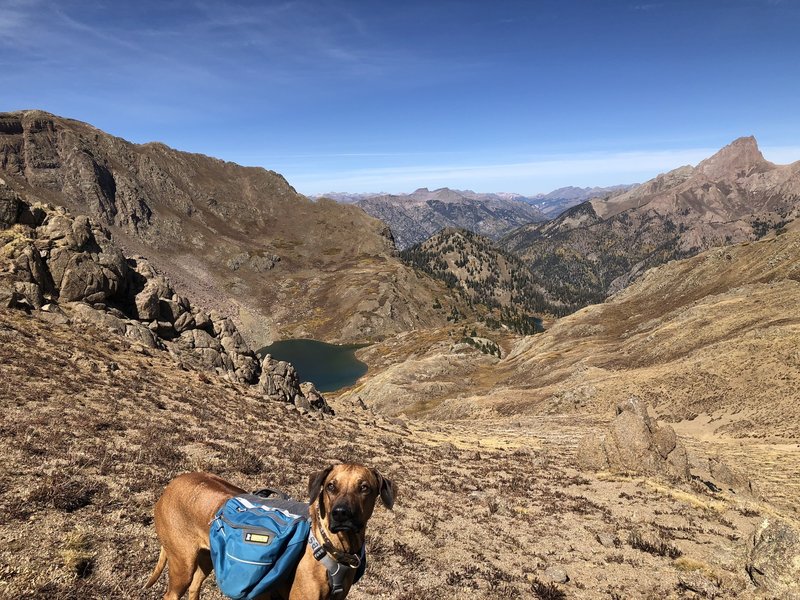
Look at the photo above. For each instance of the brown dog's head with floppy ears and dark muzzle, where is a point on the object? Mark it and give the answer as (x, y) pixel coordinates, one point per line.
(346, 495)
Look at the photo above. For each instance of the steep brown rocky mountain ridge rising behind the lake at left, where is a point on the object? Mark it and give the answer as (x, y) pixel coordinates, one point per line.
(236, 238)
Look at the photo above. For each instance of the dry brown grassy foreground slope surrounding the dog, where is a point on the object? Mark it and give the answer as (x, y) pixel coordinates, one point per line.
(94, 428)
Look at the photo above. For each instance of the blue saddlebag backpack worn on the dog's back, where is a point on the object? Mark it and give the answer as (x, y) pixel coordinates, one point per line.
(257, 543)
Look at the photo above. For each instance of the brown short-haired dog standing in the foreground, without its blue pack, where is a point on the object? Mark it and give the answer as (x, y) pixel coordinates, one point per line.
(342, 500)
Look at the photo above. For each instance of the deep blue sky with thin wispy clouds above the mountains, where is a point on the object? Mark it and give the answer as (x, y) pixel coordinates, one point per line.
(521, 96)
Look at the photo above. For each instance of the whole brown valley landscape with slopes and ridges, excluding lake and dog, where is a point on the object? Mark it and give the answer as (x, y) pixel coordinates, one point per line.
(613, 391)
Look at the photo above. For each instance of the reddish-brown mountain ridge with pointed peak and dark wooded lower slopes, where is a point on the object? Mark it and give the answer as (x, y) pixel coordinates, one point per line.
(598, 247)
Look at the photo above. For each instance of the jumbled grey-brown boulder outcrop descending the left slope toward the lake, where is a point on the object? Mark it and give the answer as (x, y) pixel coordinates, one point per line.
(51, 258)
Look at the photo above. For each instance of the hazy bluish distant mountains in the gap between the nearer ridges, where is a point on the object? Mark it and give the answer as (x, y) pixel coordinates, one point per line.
(414, 217)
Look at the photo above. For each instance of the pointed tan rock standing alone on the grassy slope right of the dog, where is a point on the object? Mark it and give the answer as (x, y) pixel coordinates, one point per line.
(635, 444)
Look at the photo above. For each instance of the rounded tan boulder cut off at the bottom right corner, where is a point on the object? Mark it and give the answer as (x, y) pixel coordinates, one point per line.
(774, 561)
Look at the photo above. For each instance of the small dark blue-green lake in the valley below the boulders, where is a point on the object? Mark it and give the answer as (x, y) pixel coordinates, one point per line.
(328, 366)
